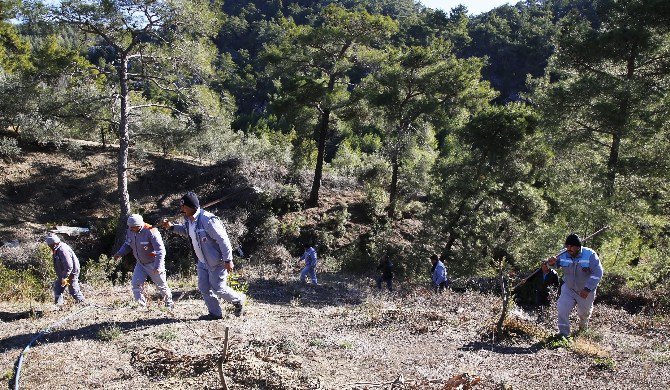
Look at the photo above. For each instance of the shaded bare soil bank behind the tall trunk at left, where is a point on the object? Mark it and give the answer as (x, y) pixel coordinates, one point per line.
(77, 185)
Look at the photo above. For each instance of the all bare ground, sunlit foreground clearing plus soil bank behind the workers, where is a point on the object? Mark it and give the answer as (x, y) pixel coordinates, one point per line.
(340, 335)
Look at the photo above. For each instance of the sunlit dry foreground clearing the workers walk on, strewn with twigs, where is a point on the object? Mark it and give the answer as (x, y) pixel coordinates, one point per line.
(340, 335)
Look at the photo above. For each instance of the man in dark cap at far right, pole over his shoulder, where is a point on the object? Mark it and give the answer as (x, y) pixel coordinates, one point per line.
(582, 271)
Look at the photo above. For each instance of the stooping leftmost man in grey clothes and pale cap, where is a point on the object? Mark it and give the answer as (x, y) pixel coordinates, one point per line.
(66, 265)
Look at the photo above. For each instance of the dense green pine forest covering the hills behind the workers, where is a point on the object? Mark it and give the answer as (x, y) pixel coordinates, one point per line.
(497, 133)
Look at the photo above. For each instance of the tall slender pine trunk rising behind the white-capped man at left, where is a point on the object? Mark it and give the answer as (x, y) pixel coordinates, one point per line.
(122, 162)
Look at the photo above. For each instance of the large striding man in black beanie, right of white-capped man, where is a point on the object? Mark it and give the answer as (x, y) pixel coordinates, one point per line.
(215, 255)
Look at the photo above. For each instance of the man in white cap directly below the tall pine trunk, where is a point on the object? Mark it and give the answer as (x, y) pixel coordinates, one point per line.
(146, 244)
